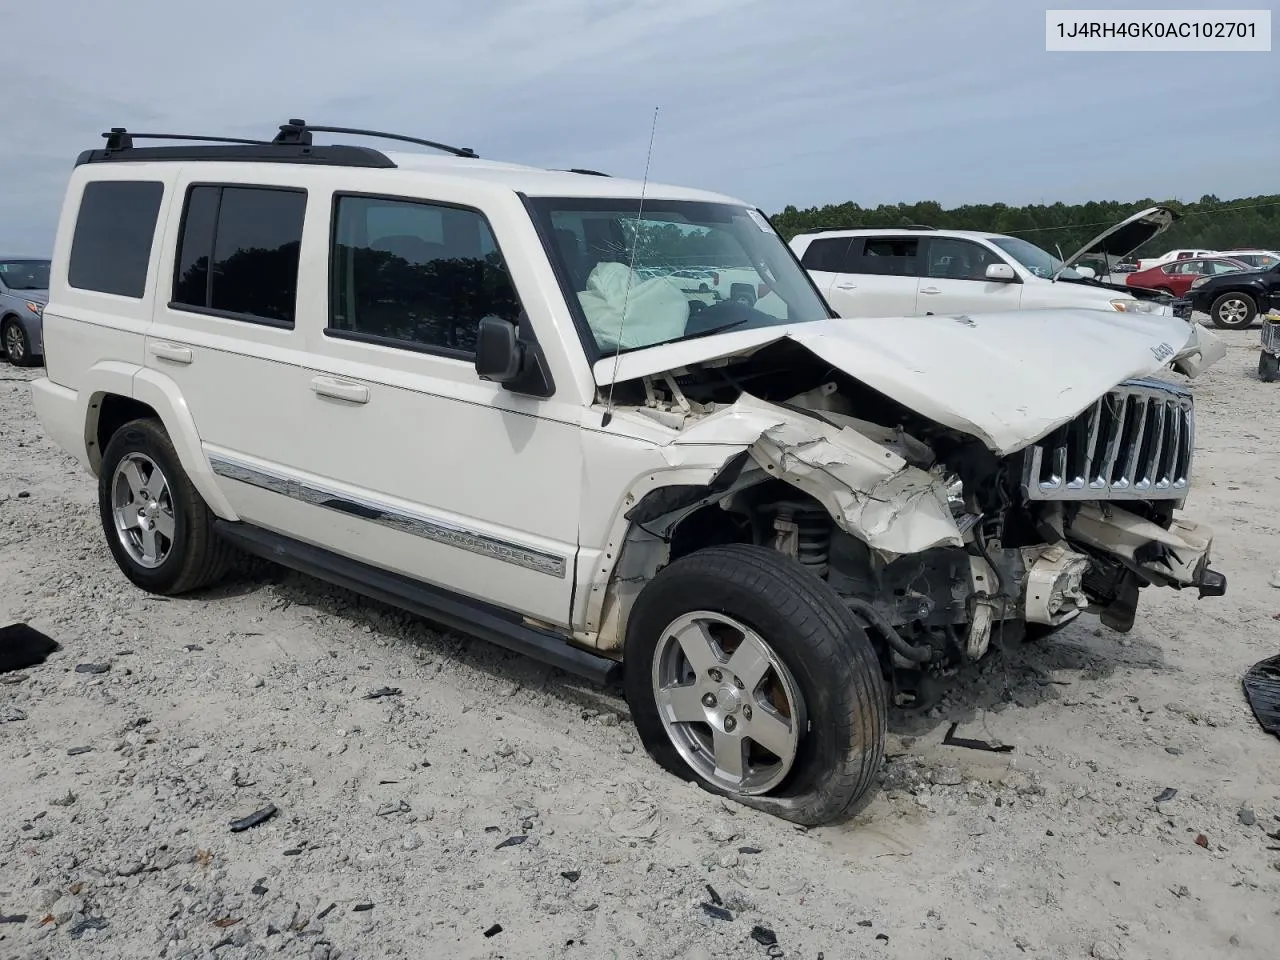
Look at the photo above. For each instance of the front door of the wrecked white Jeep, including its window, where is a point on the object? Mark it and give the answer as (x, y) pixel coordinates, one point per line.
(418, 465)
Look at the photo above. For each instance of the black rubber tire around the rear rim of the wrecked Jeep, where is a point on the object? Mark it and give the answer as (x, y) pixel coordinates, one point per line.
(196, 557)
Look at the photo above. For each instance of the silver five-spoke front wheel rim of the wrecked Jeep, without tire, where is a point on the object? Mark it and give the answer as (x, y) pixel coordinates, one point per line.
(728, 702)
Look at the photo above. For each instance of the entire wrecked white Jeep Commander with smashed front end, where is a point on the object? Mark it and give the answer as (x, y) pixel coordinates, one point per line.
(477, 391)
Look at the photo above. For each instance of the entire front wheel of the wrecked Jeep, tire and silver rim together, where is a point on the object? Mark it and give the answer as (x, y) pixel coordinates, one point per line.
(747, 674)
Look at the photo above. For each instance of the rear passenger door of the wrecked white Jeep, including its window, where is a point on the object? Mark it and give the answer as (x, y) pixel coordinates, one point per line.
(223, 331)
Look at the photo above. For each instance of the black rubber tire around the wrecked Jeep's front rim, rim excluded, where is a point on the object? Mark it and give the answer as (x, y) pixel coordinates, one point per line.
(813, 633)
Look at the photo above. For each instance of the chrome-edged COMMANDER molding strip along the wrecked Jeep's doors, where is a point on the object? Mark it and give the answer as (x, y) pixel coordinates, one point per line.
(394, 519)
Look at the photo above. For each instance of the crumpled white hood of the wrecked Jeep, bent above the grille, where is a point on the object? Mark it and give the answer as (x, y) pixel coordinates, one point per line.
(1008, 378)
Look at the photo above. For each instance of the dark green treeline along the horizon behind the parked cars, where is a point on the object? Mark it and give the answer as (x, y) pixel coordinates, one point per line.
(1209, 223)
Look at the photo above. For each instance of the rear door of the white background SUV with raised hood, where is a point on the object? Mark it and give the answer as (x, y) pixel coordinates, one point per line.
(879, 278)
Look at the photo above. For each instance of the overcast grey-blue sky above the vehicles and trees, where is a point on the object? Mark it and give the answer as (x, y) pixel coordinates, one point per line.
(776, 102)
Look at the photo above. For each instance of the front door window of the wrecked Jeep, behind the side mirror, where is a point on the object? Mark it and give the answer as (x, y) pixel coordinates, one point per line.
(417, 276)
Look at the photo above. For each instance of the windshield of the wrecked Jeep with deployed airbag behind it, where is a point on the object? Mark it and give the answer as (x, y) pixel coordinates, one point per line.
(700, 269)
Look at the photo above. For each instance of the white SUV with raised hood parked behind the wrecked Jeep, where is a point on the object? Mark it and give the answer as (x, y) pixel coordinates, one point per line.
(924, 271)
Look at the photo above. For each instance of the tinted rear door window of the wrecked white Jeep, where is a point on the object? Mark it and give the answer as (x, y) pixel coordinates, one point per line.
(239, 253)
